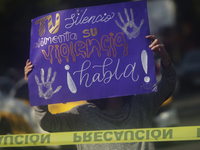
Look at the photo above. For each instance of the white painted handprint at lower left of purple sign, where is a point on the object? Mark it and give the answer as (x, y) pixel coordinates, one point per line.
(46, 85)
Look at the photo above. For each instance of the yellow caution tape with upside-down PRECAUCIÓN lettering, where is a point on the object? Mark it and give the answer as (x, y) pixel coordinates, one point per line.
(102, 136)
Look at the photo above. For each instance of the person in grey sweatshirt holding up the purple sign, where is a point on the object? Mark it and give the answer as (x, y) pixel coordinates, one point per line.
(128, 112)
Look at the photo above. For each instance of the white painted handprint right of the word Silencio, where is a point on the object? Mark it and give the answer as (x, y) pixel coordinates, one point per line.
(130, 24)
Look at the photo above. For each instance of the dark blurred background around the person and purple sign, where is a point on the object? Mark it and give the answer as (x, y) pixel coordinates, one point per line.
(175, 22)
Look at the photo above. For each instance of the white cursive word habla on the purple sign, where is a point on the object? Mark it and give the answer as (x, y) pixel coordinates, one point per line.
(104, 74)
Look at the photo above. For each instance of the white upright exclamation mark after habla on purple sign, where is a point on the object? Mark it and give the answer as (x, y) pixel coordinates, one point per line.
(144, 59)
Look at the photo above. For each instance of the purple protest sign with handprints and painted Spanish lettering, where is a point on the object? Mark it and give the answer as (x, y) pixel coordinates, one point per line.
(91, 53)
